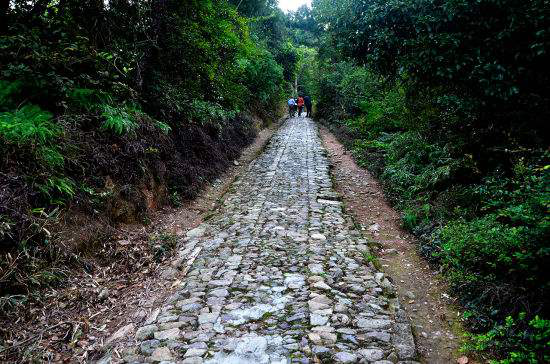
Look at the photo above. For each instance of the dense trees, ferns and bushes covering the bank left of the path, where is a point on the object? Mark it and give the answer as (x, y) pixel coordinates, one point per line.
(102, 103)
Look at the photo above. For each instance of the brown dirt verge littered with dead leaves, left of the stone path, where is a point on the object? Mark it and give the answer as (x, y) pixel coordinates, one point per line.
(71, 322)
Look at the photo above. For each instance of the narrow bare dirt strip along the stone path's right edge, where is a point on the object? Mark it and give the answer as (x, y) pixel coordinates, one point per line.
(434, 317)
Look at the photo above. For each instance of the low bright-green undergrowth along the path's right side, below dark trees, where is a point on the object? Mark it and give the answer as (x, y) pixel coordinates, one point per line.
(485, 224)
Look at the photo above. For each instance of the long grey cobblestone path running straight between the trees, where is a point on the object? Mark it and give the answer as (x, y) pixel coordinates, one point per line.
(278, 276)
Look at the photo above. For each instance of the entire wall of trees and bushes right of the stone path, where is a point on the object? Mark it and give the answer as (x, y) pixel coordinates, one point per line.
(447, 104)
